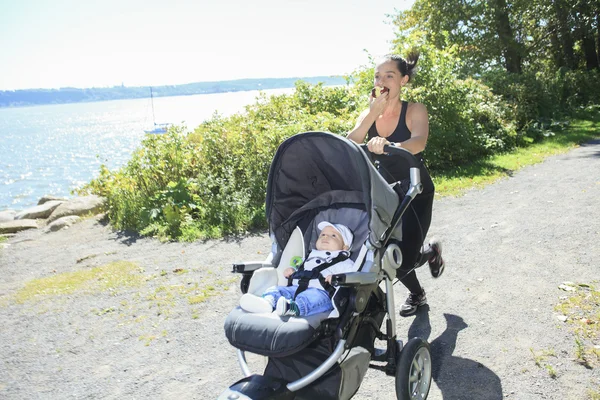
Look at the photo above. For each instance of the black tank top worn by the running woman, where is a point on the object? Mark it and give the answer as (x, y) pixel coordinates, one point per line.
(396, 166)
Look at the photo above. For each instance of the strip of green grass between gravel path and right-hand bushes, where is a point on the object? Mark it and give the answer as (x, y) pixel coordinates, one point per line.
(479, 174)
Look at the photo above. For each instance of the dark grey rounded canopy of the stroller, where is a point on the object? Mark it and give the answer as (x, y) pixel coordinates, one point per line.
(310, 164)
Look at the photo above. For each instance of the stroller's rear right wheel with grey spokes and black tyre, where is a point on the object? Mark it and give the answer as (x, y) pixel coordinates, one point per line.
(413, 371)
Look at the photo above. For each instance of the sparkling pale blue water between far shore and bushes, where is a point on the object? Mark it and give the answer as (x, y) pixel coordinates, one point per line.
(54, 149)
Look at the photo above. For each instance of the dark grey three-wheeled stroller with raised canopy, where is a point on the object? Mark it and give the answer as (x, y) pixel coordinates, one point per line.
(314, 177)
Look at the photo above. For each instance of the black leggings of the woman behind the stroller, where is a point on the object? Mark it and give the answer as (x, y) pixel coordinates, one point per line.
(415, 225)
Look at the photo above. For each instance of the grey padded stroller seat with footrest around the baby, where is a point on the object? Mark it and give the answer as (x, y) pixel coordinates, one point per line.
(269, 334)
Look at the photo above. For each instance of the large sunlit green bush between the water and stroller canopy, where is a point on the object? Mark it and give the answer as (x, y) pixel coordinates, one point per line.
(212, 182)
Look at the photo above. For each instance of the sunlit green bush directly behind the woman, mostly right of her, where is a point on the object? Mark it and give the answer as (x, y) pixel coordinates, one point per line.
(466, 120)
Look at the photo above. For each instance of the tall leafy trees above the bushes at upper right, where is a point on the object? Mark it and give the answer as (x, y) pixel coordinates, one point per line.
(514, 34)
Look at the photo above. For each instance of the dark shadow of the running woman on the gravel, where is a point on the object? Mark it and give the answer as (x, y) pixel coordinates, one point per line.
(456, 377)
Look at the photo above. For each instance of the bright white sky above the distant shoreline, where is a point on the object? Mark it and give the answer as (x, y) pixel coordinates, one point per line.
(88, 43)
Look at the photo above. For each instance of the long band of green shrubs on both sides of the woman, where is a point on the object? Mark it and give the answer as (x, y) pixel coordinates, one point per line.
(211, 182)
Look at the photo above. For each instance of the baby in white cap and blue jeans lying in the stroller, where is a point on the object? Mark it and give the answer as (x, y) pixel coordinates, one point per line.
(334, 241)
